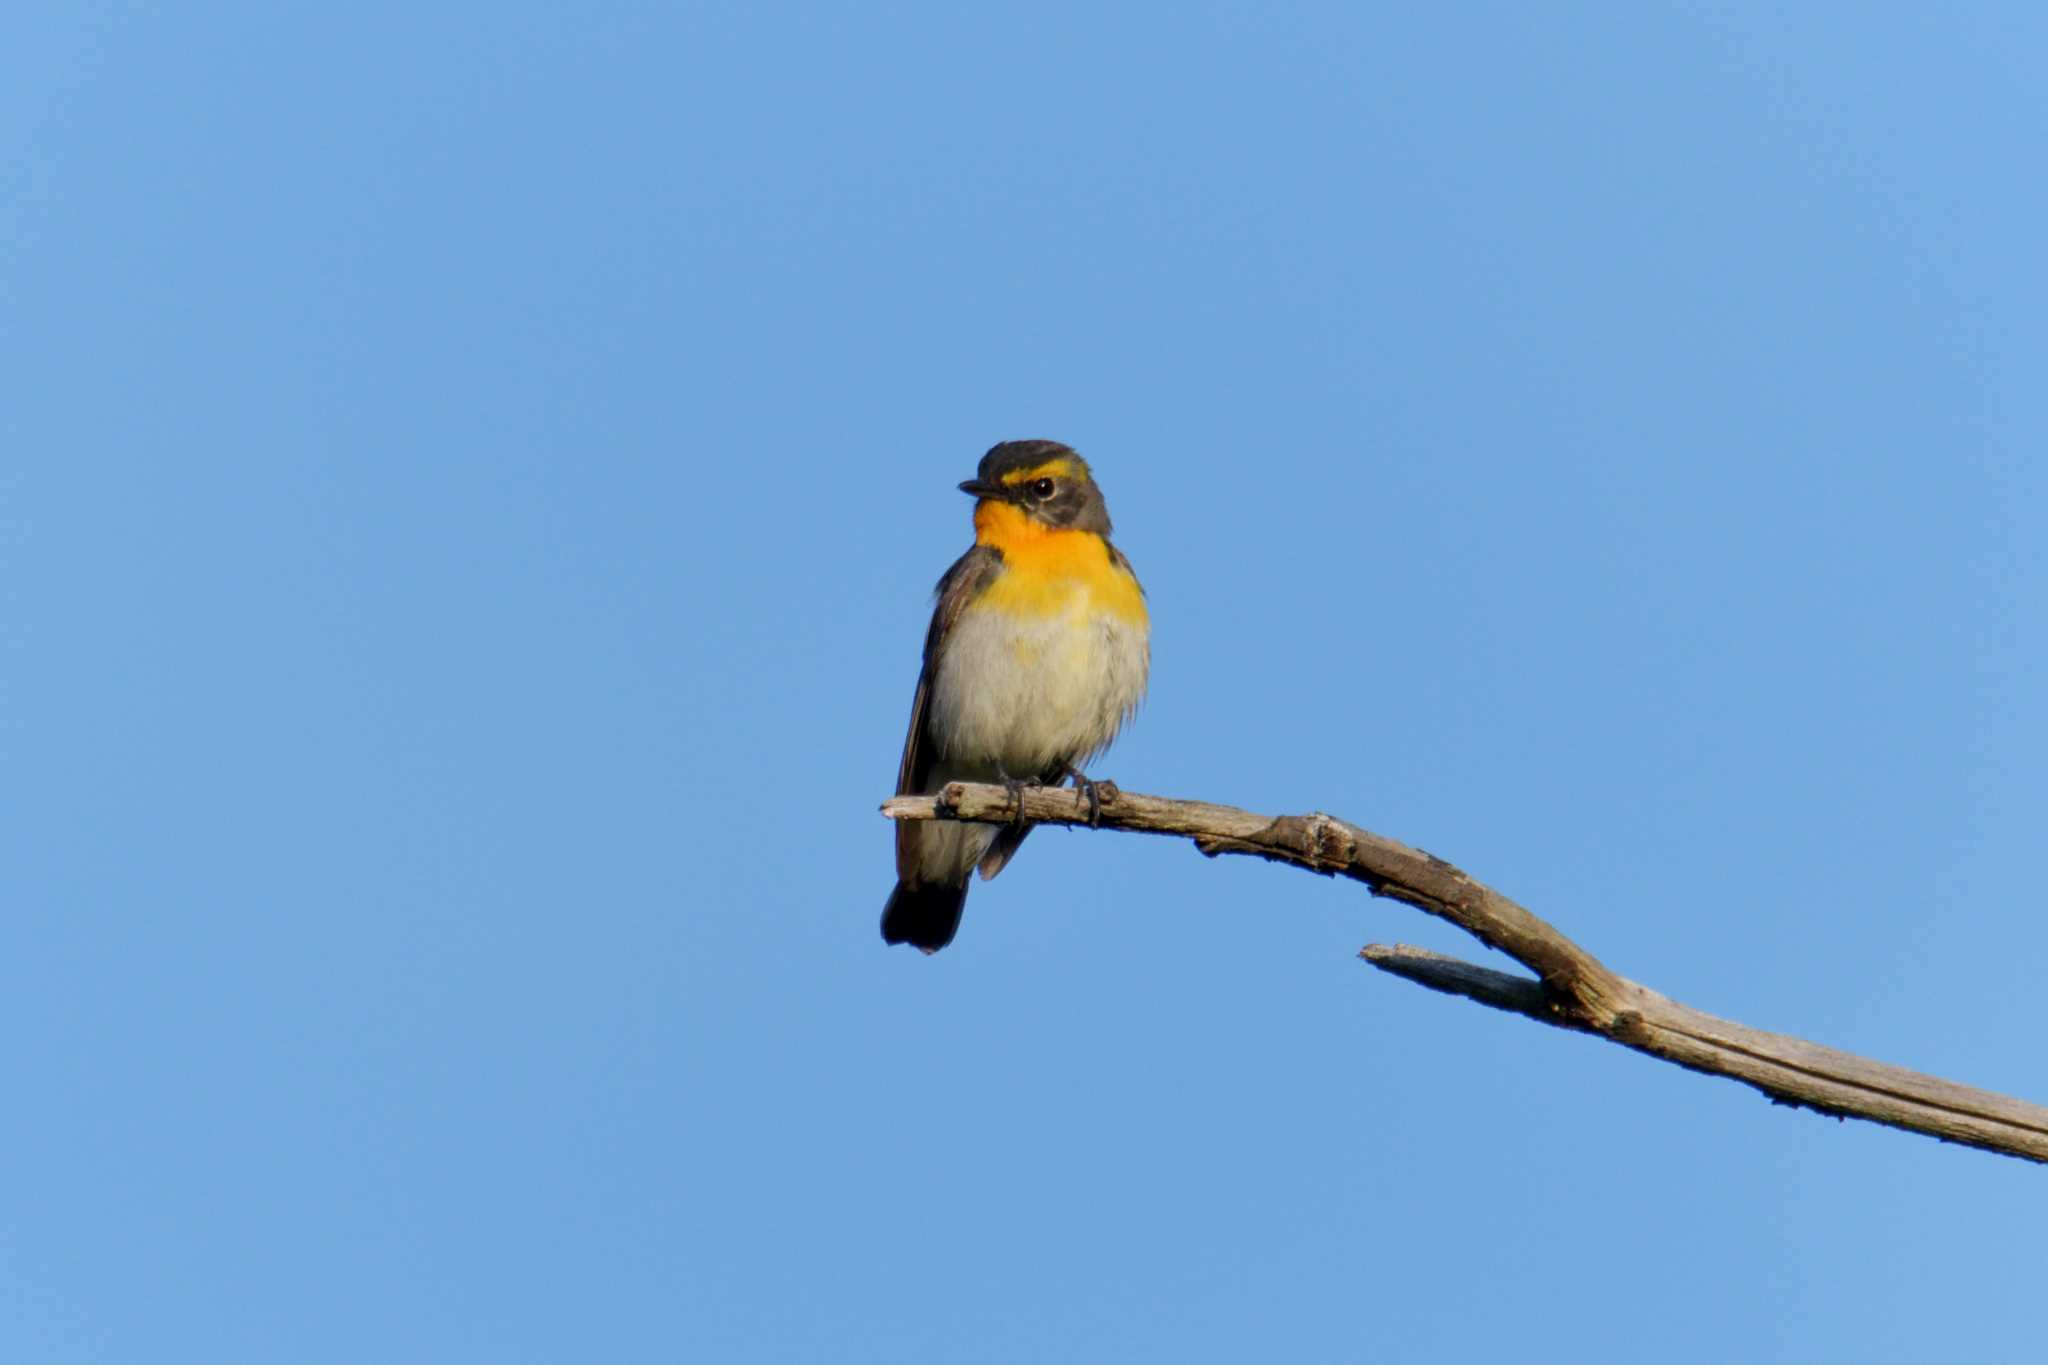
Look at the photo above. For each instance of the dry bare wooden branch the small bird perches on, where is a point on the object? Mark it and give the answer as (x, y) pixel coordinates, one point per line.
(1572, 989)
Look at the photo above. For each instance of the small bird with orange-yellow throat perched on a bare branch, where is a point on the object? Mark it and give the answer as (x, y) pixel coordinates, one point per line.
(1037, 656)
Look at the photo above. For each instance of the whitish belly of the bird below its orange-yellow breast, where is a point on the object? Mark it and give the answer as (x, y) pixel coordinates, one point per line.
(1029, 695)
